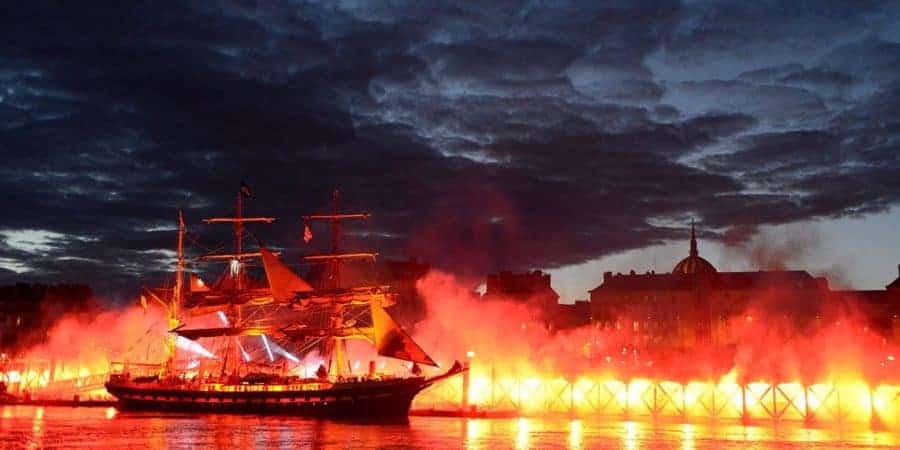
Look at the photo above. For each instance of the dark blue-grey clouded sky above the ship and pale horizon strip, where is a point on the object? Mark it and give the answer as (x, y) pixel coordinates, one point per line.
(480, 134)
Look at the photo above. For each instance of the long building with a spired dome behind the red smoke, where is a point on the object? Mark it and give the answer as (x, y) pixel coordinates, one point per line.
(695, 304)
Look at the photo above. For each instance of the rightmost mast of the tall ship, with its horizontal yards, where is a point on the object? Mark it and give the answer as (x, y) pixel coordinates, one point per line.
(334, 260)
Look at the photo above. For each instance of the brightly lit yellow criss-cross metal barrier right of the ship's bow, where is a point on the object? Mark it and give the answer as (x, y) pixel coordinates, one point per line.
(838, 401)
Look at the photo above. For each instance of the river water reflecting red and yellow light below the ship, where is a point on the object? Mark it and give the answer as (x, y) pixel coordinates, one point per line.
(59, 427)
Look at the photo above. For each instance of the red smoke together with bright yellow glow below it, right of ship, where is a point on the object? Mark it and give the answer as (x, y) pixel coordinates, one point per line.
(776, 372)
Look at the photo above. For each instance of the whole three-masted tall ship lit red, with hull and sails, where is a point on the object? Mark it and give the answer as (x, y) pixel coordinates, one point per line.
(278, 346)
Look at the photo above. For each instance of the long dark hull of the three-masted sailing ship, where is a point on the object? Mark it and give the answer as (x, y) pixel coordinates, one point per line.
(367, 399)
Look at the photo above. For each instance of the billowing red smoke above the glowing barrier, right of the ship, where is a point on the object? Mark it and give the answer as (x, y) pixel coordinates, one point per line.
(769, 342)
